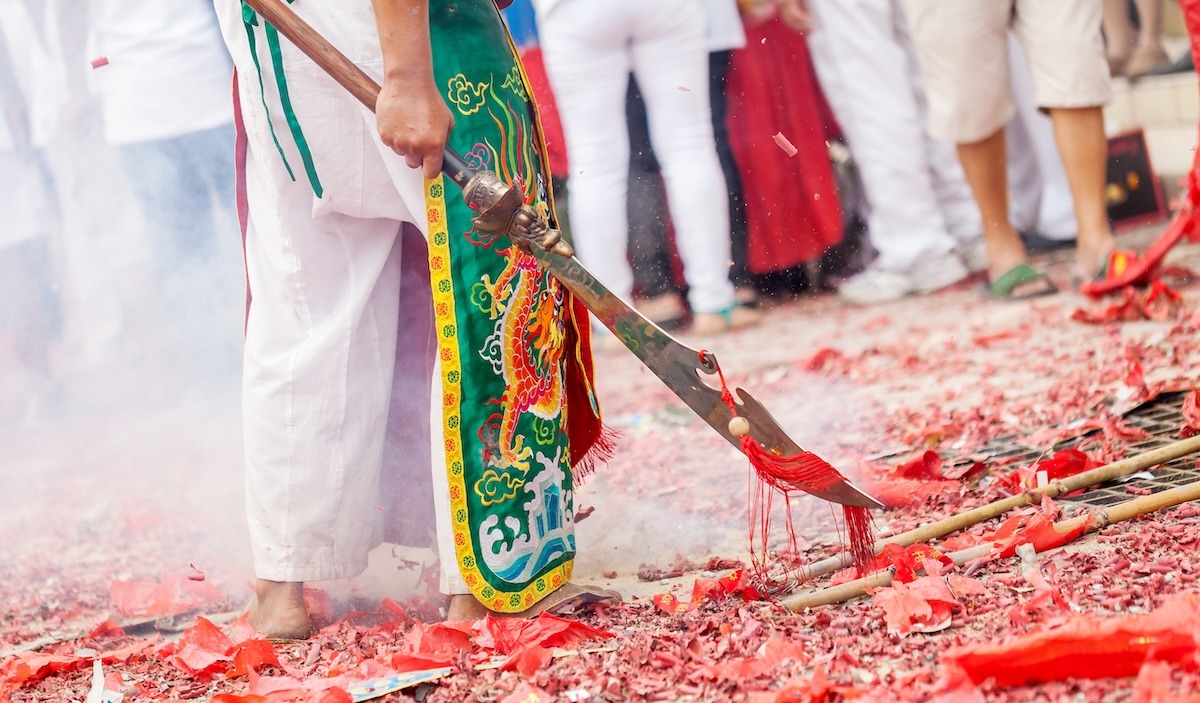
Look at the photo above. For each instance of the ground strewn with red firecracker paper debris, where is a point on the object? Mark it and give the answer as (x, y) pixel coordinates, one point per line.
(125, 563)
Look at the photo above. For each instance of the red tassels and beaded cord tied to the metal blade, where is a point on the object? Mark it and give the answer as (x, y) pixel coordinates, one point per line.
(803, 472)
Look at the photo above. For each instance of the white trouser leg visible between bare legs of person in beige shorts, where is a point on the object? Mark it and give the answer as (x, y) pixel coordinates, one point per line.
(1041, 195)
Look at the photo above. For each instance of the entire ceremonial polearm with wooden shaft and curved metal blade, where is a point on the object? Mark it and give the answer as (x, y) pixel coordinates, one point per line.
(500, 209)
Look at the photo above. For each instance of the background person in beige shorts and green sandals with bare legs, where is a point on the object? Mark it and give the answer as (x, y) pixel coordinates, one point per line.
(963, 50)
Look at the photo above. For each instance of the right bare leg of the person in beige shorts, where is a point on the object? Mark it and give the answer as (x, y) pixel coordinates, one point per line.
(1084, 149)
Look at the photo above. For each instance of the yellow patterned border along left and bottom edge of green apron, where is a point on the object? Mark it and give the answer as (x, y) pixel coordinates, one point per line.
(446, 323)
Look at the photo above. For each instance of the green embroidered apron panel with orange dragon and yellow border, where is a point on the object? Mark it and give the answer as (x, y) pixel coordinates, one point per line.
(506, 332)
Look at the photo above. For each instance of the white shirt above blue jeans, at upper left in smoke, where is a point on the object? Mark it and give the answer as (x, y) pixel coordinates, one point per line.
(169, 73)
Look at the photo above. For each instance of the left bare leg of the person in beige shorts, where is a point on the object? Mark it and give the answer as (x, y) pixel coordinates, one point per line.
(983, 163)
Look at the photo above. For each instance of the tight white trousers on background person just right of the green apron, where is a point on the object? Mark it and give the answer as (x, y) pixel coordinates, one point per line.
(590, 50)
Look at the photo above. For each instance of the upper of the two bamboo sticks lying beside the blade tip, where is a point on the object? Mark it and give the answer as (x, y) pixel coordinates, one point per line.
(1055, 489)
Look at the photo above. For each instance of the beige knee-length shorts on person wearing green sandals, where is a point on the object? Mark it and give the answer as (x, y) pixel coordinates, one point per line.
(962, 47)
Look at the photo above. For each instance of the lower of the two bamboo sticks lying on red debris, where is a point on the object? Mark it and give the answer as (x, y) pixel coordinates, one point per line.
(1091, 521)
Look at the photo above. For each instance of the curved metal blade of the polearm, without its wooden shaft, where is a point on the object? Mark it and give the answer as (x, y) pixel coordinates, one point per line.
(681, 368)
